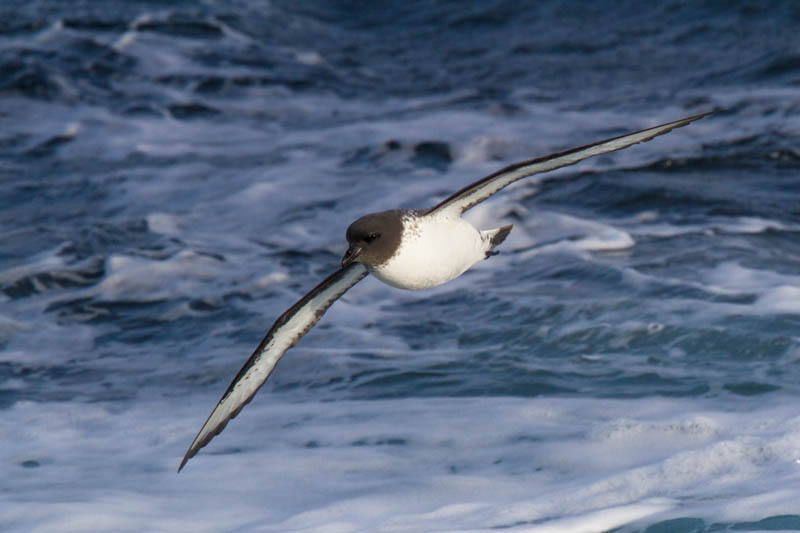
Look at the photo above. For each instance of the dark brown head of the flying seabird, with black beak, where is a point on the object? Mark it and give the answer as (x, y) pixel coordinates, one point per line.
(374, 238)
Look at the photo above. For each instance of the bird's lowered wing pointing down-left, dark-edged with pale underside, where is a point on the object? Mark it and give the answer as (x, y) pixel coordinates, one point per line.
(285, 333)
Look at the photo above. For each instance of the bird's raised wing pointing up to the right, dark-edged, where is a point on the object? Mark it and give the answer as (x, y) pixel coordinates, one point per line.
(479, 191)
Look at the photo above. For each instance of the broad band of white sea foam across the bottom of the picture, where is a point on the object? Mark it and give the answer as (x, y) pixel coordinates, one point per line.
(469, 464)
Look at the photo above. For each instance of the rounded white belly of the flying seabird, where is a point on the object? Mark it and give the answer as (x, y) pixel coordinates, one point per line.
(432, 251)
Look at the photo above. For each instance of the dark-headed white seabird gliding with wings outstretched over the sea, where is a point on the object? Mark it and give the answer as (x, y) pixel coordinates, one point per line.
(405, 248)
